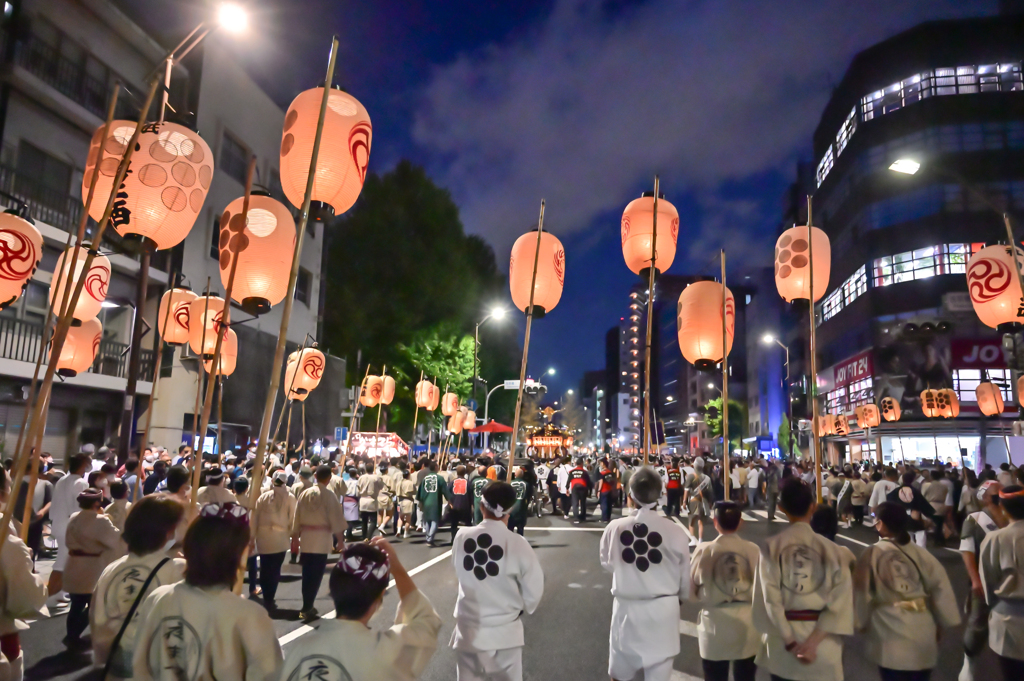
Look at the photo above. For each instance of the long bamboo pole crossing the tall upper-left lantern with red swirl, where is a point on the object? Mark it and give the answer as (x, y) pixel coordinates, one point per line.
(279, 355)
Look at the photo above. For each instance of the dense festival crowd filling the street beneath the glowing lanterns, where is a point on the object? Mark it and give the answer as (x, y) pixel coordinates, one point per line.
(157, 580)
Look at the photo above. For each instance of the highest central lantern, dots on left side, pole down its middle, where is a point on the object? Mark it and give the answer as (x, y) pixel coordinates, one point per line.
(637, 228)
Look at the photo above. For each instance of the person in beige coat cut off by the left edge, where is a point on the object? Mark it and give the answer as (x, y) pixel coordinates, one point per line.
(23, 597)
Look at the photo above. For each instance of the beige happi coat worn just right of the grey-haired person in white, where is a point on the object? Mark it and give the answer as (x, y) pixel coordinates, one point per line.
(723, 581)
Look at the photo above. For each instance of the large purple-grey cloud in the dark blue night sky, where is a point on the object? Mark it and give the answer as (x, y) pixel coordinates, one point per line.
(583, 110)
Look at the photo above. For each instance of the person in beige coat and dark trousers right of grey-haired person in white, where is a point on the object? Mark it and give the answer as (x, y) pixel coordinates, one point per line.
(723, 572)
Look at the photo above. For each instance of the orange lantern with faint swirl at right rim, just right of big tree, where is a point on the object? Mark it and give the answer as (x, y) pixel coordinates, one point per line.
(550, 273)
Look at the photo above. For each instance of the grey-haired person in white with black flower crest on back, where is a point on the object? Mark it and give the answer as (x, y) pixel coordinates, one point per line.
(650, 561)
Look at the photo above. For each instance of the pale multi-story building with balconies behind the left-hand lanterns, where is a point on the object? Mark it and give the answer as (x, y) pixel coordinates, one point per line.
(61, 62)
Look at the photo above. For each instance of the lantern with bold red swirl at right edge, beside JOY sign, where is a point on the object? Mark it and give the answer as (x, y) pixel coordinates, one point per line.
(995, 290)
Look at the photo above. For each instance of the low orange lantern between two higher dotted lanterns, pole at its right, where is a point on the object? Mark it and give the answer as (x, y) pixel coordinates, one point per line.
(699, 317)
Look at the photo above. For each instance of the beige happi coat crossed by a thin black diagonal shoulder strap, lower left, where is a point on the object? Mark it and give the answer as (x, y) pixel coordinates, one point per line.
(117, 589)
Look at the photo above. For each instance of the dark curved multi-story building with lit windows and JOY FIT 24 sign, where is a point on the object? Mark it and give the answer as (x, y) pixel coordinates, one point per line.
(898, 318)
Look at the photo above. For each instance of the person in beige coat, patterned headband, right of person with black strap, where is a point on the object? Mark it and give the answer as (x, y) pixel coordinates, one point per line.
(201, 629)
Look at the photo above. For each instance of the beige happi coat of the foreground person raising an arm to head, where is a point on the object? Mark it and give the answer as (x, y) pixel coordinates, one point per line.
(349, 651)
